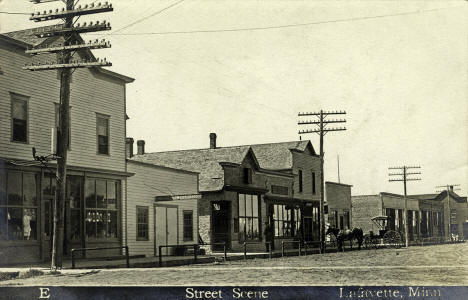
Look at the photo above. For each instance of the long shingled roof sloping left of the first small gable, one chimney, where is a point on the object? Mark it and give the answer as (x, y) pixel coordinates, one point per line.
(205, 161)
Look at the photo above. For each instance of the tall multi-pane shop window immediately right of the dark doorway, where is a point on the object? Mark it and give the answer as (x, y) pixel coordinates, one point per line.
(249, 217)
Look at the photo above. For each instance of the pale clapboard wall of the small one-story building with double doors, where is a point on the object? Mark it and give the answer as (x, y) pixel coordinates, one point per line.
(142, 188)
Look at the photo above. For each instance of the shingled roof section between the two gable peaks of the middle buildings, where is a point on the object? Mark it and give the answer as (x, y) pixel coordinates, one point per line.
(278, 156)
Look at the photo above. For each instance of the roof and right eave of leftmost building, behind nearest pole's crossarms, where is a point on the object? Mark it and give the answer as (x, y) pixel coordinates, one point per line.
(26, 38)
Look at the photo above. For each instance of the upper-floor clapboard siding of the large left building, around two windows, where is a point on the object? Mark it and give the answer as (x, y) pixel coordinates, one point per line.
(91, 93)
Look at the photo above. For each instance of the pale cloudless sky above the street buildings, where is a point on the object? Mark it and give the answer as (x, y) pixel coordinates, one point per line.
(245, 69)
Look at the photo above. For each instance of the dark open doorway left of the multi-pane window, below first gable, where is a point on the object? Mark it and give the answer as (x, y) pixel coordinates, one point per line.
(220, 225)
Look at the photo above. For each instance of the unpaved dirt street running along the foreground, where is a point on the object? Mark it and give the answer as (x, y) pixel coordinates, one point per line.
(430, 265)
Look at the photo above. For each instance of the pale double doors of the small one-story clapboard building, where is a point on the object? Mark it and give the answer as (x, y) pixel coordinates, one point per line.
(166, 228)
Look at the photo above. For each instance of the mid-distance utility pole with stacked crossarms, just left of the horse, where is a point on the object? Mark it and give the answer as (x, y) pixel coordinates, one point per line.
(321, 123)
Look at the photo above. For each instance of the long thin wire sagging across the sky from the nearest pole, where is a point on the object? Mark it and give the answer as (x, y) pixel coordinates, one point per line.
(276, 26)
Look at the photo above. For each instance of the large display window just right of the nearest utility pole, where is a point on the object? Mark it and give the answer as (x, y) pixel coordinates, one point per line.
(100, 218)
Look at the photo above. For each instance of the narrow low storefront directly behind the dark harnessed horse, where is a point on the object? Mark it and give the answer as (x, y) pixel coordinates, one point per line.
(338, 205)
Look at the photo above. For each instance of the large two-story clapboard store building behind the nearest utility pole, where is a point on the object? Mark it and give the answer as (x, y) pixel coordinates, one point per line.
(96, 161)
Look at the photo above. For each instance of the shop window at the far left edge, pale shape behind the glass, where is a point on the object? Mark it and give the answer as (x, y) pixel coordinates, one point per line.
(18, 205)
